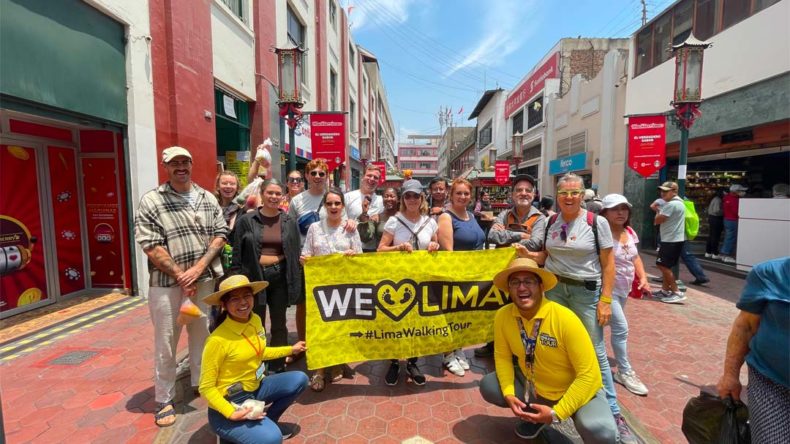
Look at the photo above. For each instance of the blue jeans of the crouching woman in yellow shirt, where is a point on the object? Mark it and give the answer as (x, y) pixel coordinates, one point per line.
(281, 390)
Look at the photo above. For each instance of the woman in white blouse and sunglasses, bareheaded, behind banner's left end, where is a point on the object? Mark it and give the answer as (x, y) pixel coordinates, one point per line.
(329, 236)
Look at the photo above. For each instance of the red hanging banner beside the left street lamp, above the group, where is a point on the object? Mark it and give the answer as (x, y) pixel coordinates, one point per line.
(328, 137)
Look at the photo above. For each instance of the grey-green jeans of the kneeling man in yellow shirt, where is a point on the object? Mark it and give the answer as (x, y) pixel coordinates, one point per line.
(592, 420)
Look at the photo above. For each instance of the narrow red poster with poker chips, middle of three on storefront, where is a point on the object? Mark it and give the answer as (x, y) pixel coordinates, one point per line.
(66, 217)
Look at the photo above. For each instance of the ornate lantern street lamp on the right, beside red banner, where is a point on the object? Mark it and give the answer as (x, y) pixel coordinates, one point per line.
(687, 96)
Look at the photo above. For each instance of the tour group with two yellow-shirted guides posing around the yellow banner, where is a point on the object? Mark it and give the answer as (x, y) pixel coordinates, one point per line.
(572, 276)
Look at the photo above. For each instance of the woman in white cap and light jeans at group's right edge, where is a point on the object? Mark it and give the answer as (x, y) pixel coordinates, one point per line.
(628, 266)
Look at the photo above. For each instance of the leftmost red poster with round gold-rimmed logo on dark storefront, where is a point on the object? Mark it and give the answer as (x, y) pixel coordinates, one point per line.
(22, 274)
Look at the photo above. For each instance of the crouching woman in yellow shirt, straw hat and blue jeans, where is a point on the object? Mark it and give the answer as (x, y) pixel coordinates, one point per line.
(232, 369)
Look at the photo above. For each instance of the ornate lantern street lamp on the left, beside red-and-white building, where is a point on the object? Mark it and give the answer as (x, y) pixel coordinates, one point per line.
(289, 63)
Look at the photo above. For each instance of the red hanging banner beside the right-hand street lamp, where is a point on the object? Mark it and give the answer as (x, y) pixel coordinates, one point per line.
(647, 143)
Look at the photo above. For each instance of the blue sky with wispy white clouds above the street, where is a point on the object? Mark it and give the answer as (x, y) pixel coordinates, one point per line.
(445, 53)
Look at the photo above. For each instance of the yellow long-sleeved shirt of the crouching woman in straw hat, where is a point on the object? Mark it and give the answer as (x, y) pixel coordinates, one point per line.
(228, 358)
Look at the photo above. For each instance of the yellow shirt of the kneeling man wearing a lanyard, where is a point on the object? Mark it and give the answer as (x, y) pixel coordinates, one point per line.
(566, 368)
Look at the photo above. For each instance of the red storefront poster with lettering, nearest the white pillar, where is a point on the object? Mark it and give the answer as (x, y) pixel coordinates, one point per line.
(103, 217)
